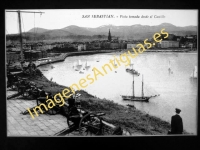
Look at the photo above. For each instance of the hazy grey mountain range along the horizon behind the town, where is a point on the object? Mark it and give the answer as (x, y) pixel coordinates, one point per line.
(136, 31)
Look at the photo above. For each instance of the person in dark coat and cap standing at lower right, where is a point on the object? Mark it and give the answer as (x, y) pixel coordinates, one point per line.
(176, 123)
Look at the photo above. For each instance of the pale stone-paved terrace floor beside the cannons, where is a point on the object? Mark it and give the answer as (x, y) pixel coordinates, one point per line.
(23, 125)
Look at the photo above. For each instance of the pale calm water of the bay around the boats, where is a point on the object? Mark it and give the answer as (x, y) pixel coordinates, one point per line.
(174, 85)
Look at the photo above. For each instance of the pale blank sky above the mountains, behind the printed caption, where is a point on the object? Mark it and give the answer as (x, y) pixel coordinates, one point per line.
(60, 18)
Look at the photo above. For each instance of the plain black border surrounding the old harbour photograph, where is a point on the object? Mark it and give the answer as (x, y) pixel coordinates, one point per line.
(150, 142)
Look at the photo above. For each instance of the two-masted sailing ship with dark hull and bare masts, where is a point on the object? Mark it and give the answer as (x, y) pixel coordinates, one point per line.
(137, 98)
